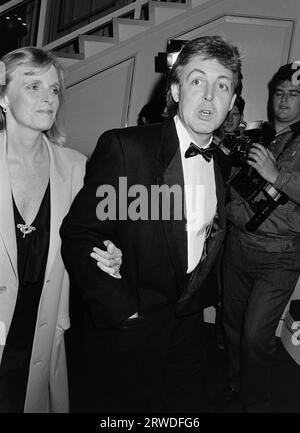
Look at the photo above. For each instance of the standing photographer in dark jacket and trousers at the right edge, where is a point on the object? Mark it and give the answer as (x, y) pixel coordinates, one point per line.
(262, 258)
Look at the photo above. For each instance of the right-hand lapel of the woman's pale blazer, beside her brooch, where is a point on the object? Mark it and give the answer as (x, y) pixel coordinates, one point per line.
(58, 200)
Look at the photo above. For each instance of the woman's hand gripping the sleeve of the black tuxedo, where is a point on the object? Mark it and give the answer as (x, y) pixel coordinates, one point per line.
(108, 261)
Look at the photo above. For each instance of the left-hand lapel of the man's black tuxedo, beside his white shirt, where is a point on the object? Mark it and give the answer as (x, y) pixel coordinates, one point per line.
(170, 157)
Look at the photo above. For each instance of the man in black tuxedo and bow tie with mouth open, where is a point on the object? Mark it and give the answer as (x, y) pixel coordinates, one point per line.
(142, 332)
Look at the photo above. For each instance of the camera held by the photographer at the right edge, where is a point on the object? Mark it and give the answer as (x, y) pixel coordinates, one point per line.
(260, 195)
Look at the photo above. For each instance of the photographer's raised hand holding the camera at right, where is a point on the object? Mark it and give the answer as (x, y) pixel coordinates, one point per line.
(264, 162)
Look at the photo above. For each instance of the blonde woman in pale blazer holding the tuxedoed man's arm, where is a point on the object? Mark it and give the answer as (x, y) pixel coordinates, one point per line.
(38, 181)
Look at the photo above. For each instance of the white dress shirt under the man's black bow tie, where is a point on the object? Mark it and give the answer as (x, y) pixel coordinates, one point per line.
(200, 196)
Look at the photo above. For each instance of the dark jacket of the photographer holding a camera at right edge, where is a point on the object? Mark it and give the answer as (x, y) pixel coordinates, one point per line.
(281, 230)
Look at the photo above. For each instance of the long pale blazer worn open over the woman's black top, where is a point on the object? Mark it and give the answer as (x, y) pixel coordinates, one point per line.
(47, 389)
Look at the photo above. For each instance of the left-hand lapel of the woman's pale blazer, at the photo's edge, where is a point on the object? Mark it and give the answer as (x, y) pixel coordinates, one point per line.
(7, 228)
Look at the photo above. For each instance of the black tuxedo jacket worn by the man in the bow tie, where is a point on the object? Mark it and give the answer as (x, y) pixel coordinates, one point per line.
(154, 251)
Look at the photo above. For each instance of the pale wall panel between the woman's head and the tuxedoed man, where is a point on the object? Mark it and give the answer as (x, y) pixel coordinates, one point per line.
(97, 103)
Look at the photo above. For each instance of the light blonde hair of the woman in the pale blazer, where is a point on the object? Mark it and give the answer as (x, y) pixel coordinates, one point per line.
(42, 60)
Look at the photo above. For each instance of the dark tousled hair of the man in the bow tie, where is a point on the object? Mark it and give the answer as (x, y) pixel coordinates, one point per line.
(210, 47)
